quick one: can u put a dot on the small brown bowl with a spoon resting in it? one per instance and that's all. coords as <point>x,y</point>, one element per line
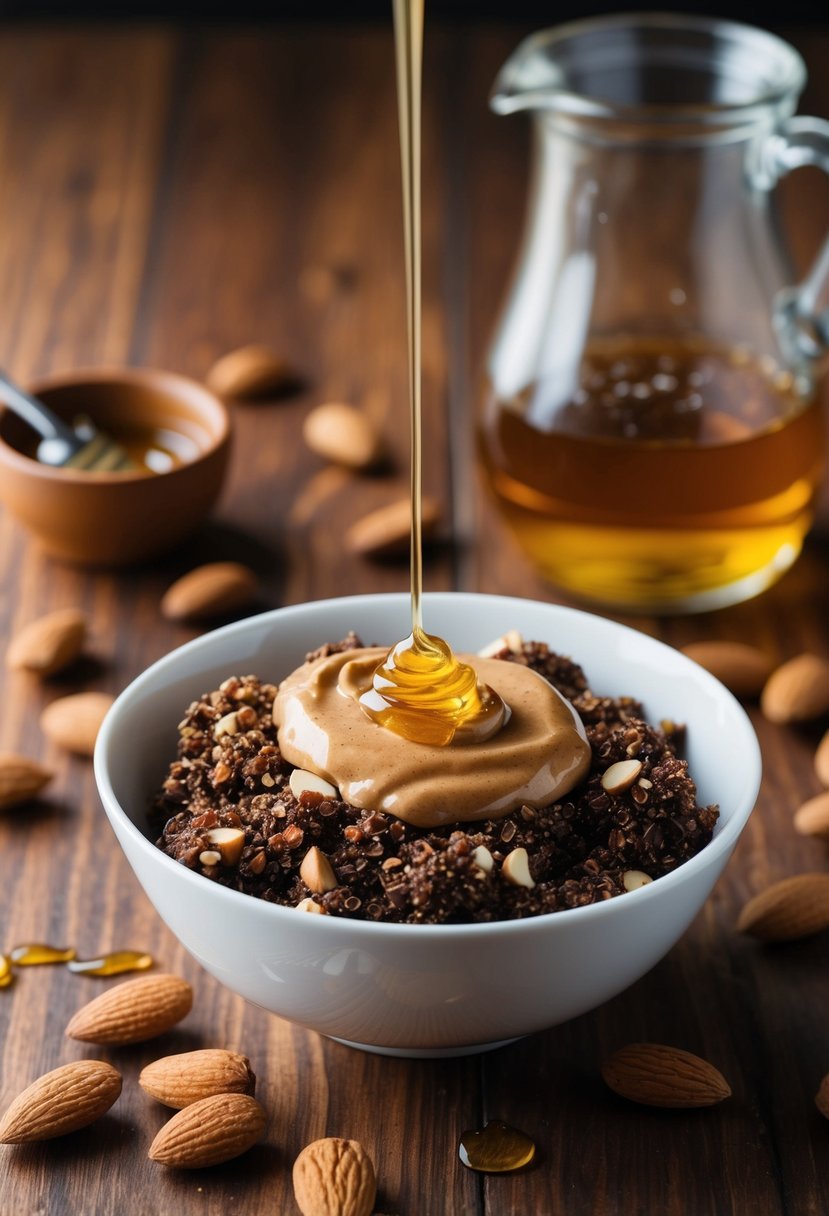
<point>119,519</point>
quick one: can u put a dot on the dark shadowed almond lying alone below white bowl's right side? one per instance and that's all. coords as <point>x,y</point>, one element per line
<point>658,1076</point>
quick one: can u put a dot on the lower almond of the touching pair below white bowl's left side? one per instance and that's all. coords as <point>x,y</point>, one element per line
<point>210,1131</point>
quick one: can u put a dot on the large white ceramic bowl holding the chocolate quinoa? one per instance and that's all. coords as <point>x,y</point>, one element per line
<point>426,990</point>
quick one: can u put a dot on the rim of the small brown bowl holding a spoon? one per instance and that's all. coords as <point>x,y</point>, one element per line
<point>174,385</point>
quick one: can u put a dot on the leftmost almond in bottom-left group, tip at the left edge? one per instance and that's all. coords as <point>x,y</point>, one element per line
<point>63,1101</point>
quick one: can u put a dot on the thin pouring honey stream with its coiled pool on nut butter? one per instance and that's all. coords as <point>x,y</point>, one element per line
<point>421,690</point>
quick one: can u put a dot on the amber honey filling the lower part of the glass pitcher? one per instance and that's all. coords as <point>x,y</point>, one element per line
<point>675,474</point>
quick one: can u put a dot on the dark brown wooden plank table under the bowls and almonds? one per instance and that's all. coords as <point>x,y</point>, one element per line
<point>163,198</point>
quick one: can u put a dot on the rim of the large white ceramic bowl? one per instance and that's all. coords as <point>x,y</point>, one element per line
<point>721,843</point>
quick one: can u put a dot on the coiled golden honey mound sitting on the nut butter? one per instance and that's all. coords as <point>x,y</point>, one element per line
<point>424,693</point>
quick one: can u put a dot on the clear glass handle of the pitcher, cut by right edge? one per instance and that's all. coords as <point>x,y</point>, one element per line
<point>803,311</point>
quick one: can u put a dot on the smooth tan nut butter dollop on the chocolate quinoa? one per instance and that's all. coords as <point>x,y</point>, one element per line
<point>538,757</point>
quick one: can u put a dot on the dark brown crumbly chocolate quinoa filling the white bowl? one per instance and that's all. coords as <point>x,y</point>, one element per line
<point>579,849</point>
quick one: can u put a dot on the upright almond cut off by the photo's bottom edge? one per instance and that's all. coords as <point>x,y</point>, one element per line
<point>335,1178</point>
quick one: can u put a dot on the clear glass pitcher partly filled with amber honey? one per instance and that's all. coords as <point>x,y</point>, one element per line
<point>651,426</point>
